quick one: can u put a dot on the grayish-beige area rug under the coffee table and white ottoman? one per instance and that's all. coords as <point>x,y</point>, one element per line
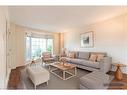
<point>54,82</point>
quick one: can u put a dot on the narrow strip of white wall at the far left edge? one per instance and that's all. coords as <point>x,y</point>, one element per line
<point>3,66</point>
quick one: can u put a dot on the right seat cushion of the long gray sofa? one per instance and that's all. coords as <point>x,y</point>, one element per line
<point>89,63</point>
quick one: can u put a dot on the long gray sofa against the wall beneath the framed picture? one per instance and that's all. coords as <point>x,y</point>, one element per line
<point>82,61</point>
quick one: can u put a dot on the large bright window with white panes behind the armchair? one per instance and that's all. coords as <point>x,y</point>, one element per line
<point>36,46</point>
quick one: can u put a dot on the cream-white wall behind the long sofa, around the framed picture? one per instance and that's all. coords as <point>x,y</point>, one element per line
<point>109,36</point>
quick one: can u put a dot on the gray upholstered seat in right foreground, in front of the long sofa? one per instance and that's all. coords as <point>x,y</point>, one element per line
<point>95,80</point>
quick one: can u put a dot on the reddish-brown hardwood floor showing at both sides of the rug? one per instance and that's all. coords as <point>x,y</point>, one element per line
<point>15,80</point>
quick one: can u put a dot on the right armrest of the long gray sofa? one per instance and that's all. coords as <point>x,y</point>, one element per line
<point>105,64</point>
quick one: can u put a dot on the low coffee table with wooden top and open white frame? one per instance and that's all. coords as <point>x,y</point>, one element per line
<point>64,72</point>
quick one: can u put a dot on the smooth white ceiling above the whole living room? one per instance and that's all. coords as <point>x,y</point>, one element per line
<point>62,18</point>
